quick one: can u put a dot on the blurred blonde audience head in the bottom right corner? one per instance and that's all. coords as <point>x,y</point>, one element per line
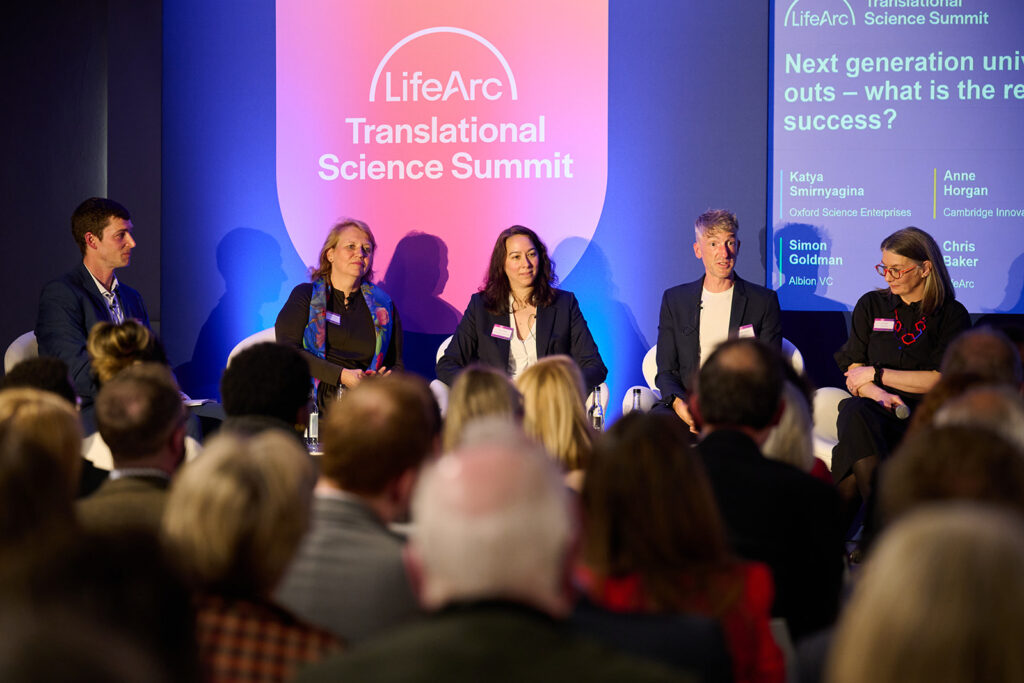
<point>941,600</point>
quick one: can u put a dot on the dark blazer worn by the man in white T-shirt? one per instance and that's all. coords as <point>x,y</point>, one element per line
<point>679,331</point>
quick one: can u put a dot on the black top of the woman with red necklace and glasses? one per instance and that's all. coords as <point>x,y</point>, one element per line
<point>917,343</point>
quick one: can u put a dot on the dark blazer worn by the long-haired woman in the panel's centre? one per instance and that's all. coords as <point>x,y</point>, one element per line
<point>561,329</point>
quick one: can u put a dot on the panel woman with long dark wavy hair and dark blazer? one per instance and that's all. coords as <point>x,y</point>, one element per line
<point>520,317</point>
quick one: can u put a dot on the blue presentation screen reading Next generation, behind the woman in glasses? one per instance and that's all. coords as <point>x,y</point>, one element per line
<point>894,113</point>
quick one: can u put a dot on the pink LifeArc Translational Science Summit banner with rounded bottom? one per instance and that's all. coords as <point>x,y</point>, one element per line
<point>455,120</point>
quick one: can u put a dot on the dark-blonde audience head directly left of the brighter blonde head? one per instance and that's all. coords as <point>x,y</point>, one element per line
<point>480,392</point>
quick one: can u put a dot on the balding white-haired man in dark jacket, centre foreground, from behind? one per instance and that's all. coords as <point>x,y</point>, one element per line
<point>492,544</point>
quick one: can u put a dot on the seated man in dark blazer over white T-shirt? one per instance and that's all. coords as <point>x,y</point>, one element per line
<point>699,316</point>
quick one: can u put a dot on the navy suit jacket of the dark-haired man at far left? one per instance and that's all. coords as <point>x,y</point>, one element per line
<point>69,307</point>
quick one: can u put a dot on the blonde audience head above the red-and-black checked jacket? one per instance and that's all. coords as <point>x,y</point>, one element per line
<point>235,517</point>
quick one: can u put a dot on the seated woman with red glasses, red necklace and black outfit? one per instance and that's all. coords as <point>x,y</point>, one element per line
<point>892,359</point>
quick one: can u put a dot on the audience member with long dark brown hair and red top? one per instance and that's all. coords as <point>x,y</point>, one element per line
<point>655,542</point>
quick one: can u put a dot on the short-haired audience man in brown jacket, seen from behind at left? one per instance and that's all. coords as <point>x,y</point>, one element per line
<point>142,419</point>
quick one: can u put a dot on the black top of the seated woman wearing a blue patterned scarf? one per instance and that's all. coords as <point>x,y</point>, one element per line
<point>350,345</point>
